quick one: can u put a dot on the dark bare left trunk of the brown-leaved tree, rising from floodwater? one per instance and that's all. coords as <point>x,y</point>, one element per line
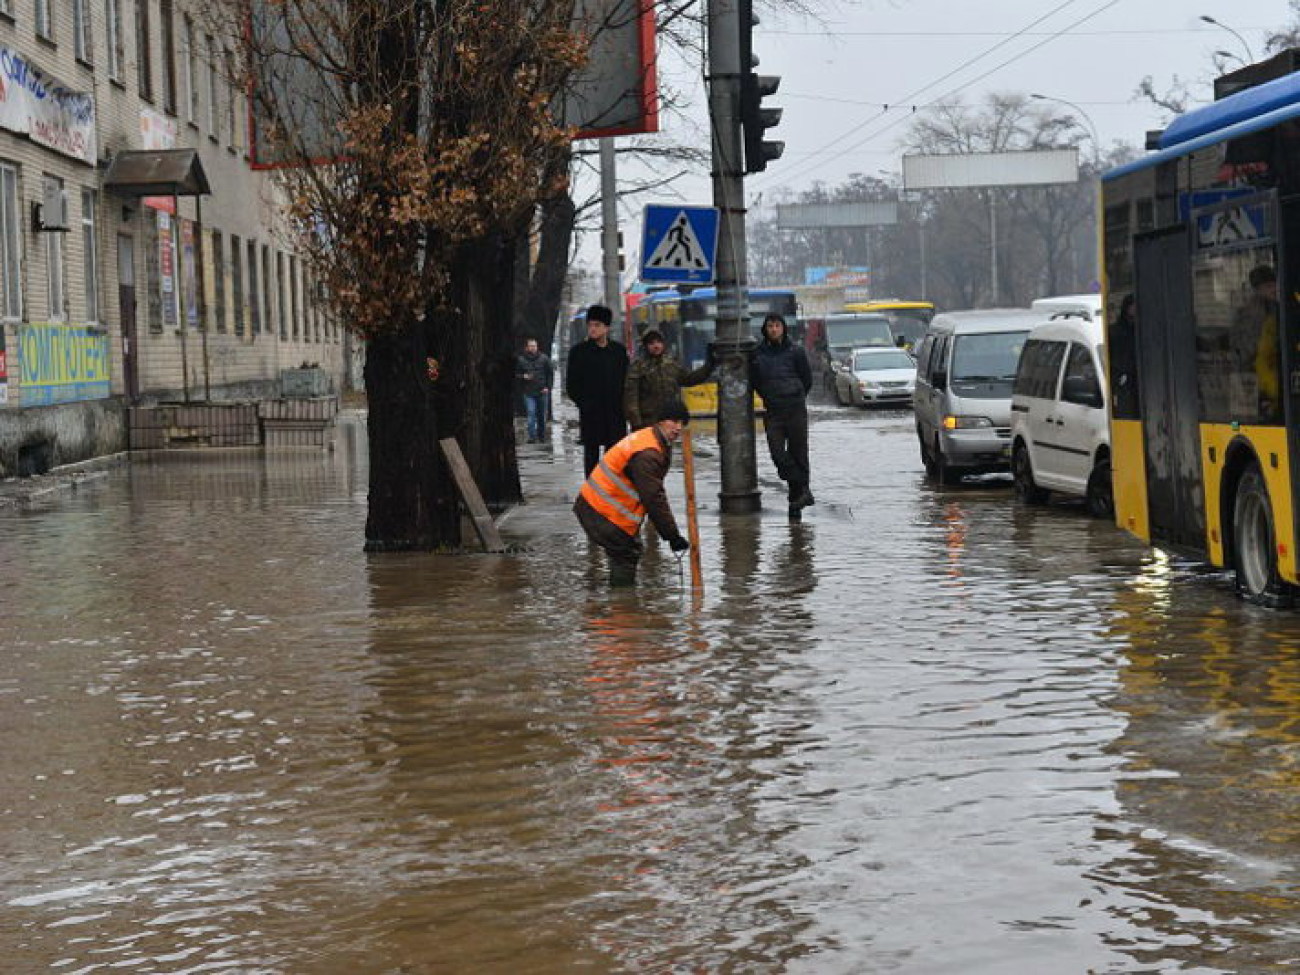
<point>413,500</point>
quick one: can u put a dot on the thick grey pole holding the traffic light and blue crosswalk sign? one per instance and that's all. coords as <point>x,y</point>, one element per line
<point>734,343</point>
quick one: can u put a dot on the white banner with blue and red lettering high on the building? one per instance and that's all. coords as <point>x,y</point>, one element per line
<point>45,110</point>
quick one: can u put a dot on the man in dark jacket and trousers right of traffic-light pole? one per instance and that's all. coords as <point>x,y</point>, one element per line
<point>781,374</point>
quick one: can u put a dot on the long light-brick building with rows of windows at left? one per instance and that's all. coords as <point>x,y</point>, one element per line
<point>112,298</point>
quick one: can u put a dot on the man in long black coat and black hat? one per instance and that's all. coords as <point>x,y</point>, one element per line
<point>593,380</point>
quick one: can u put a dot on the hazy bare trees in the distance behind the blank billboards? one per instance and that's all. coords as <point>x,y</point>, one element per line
<point>942,246</point>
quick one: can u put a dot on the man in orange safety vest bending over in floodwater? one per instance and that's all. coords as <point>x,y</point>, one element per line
<point>627,486</point>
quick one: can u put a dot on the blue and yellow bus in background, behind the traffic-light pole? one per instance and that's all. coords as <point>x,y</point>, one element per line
<point>690,322</point>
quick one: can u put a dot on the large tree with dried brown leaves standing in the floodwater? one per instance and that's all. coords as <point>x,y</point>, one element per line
<point>417,141</point>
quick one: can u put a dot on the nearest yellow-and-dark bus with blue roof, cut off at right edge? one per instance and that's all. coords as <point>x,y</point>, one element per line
<point>1202,261</point>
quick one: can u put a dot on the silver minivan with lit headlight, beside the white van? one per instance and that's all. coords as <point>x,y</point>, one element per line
<point>965,370</point>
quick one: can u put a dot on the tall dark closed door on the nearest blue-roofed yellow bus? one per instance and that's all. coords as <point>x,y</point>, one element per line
<point>1167,352</point>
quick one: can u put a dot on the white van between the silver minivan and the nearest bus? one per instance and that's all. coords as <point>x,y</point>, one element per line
<point>1060,423</point>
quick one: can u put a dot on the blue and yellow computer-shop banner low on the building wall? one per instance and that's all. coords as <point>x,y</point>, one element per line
<point>62,363</point>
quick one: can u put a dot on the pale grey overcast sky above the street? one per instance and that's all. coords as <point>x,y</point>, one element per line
<point>842,71</point>
